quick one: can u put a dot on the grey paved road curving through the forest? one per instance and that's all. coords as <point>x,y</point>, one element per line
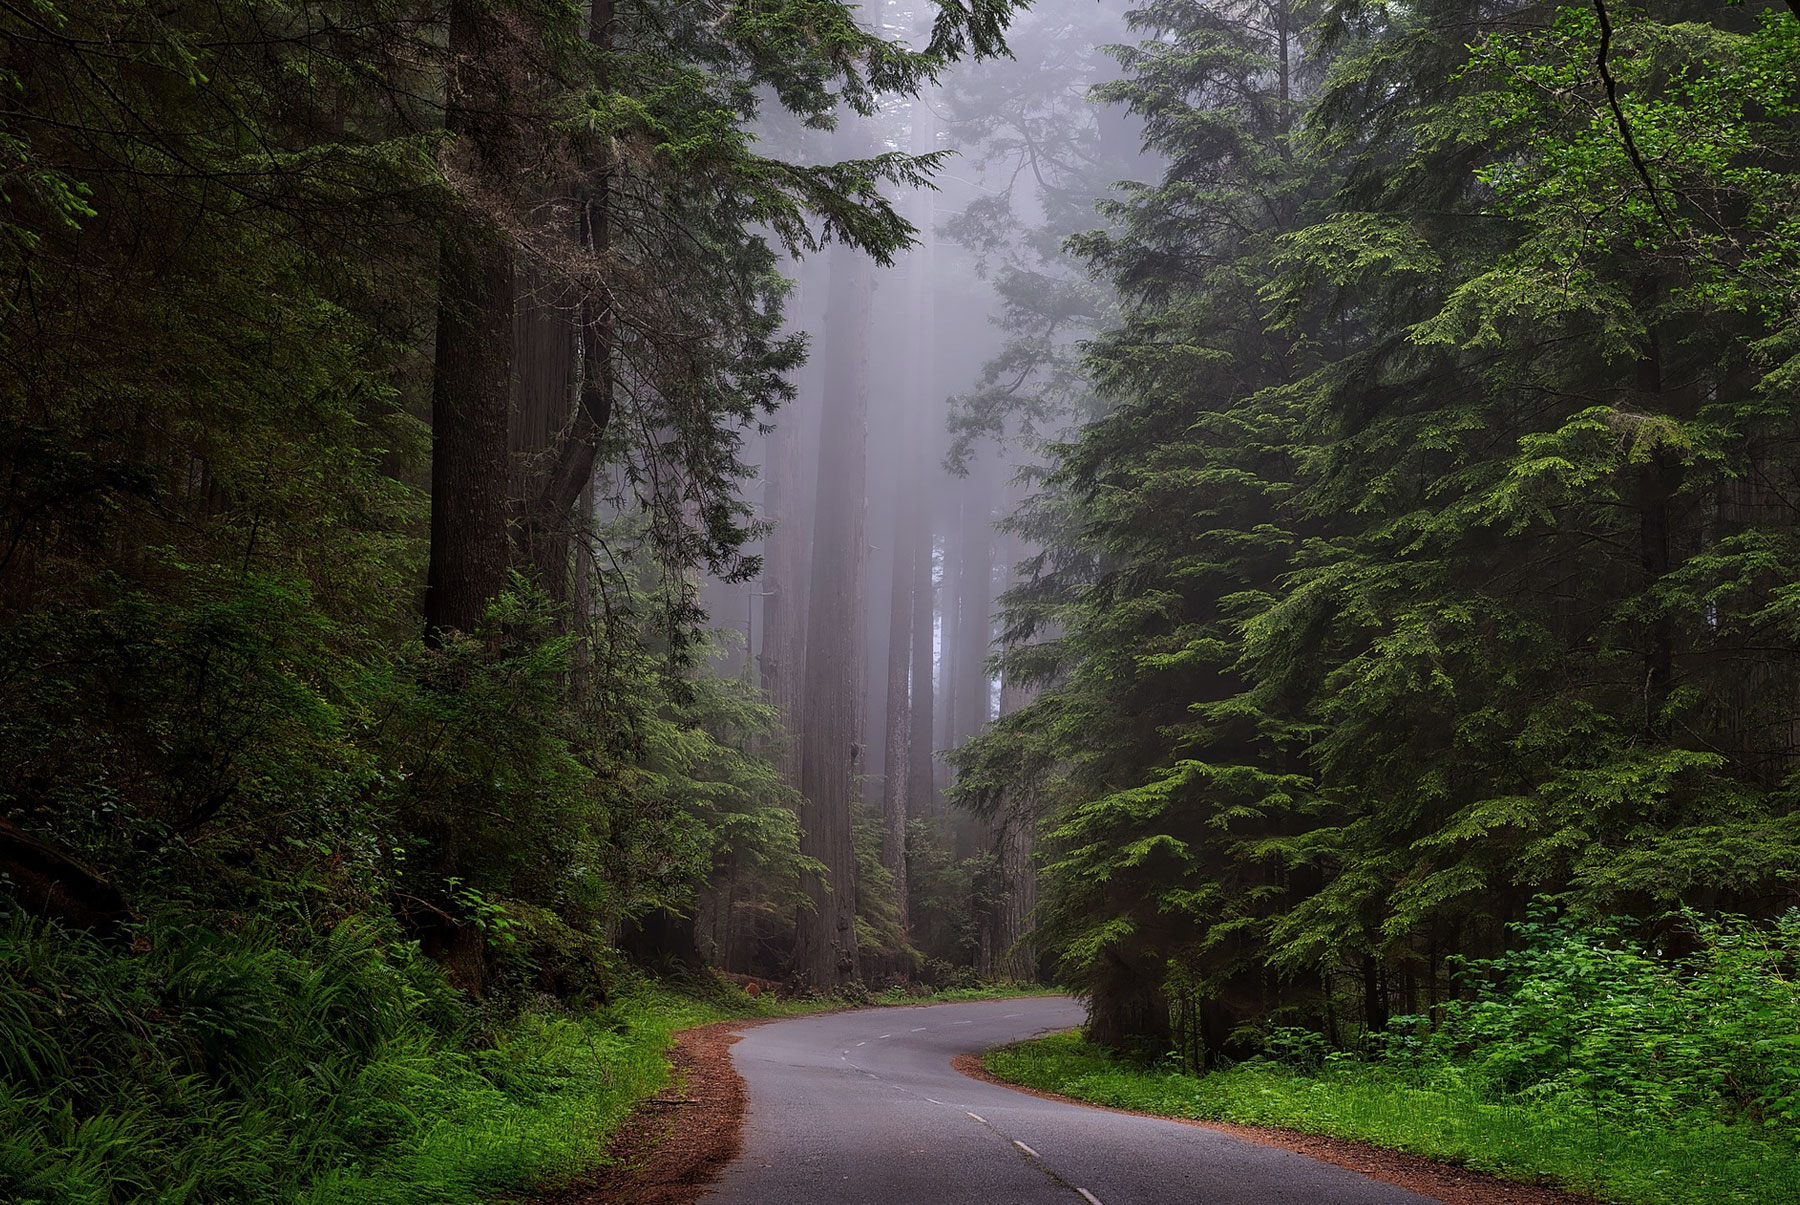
<point>865,1109</point>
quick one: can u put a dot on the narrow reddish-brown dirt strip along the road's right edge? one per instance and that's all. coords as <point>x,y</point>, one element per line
<point>1453,1186</point>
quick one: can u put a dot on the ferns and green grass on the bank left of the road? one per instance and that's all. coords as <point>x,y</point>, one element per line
<point>260,1065</point>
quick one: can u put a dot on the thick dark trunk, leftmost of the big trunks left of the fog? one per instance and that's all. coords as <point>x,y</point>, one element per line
<point>474,359</point>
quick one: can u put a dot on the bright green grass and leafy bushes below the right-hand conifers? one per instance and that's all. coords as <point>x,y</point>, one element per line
<point>1614,1067</point>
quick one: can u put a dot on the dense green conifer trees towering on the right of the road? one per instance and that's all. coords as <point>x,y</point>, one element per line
<point>1430,554</point>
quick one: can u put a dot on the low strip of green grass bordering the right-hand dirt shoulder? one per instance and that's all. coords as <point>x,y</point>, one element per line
<point>1432,1114</point>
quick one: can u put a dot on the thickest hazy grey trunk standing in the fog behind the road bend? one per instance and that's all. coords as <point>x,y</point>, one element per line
<point>825,945</point>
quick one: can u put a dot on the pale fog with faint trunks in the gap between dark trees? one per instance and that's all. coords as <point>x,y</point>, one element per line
<point>930,388</point>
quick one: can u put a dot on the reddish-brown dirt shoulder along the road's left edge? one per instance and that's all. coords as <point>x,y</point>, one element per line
<point>678,1141</point>
